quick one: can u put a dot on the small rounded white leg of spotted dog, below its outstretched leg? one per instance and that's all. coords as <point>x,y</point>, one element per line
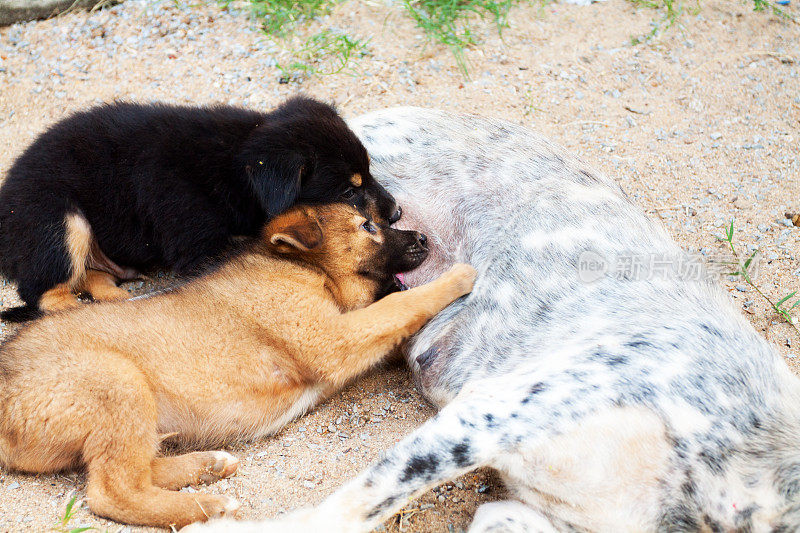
<point>510,517</point>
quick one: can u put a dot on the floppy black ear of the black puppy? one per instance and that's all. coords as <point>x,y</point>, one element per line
<point>277,181</point>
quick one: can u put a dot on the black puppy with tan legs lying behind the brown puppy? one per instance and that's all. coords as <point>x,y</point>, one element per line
<point>124,187</point>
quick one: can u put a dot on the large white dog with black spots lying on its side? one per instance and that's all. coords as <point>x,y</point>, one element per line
<point>640,401</point>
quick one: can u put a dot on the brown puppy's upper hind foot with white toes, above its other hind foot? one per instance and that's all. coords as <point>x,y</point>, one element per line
<point>192,469</point>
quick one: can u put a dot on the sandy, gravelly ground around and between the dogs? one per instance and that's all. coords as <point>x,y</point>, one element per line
<point>699,128</point>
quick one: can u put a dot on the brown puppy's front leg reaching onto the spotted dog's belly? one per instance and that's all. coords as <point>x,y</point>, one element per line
<point>360,338</point>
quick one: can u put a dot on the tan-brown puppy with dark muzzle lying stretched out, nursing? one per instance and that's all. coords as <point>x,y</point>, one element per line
<point>235,354</point>
